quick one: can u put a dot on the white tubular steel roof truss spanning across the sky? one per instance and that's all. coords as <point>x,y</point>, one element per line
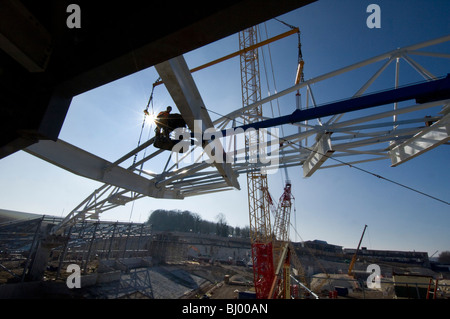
<point>376,134</point>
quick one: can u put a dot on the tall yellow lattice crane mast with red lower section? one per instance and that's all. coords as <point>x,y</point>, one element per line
<point>259,212</point>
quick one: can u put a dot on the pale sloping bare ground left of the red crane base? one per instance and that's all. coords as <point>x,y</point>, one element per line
<point>178,280</point>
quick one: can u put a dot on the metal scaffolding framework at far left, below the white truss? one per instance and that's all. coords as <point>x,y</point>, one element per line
<point>84,243</point>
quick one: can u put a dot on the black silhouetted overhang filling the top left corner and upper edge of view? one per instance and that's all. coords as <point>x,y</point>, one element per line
<point>44,63</point>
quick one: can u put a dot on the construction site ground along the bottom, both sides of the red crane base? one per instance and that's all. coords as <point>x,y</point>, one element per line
<point>192,266</point>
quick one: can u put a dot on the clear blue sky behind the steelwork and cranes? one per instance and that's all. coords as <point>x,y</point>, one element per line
<point>332,205</point>
